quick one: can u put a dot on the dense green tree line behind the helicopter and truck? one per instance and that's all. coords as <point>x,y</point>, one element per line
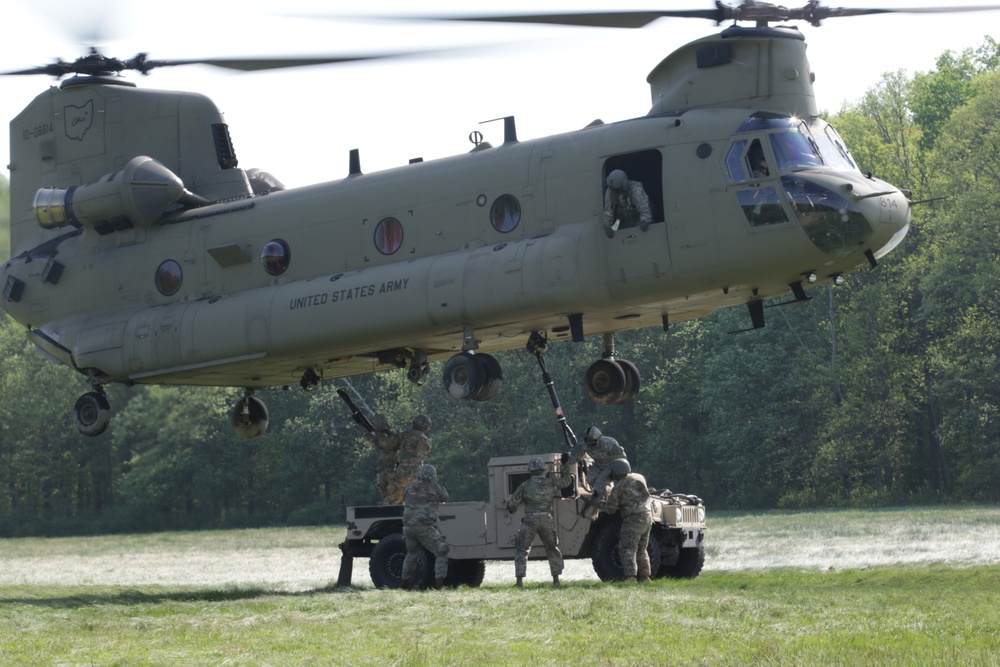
<point>882,391</point>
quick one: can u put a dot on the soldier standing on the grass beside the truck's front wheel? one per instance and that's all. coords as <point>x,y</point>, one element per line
<point>630,498</point>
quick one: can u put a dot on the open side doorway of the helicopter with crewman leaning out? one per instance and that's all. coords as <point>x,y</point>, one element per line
<point>633,190</point>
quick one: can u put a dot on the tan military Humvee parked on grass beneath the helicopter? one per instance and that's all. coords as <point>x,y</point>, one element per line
<point>478,531</point>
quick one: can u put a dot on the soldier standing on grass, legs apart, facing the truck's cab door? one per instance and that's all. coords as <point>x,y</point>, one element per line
<point>536,493</point>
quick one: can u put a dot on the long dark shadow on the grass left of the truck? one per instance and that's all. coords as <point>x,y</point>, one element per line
<point>135,597</point>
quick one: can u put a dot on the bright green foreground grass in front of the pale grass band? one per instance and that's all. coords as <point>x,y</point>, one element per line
<point>892,616</point>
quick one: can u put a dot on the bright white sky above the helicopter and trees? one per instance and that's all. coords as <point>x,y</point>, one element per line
<point>301,124</point>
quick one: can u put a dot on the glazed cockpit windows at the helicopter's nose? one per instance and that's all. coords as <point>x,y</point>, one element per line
<point>775,162</point>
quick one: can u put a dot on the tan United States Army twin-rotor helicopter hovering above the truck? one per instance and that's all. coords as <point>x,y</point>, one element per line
<point>142,252</point>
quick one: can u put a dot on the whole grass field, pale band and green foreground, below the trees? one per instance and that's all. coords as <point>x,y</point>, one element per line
<point>900,587</point>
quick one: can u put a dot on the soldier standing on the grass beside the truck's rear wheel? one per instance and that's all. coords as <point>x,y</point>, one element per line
<point>421,499</point>
